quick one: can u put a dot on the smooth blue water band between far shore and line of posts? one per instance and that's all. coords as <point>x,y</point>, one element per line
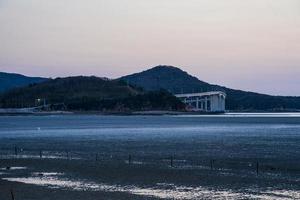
<point>232,135</point>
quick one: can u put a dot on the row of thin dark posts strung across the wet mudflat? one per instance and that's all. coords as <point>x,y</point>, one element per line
<point>170,161</point>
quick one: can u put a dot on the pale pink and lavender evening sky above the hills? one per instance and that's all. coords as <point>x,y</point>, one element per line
<point>250,45</point>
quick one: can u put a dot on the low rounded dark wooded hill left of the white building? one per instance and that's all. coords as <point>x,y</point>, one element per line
<point>90,93</point>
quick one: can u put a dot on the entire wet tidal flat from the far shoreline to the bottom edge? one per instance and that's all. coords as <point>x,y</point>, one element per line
<point>87,157</point>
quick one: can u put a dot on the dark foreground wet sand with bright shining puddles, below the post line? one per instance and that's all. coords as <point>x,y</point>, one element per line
<point>82,179</point>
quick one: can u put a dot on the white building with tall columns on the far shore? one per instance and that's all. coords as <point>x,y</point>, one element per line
<point>204,102</point>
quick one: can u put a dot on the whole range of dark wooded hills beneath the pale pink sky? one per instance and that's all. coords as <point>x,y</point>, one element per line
<point>92,93</point>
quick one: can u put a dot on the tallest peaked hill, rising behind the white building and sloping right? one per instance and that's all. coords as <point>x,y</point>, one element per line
<point>177,81</point>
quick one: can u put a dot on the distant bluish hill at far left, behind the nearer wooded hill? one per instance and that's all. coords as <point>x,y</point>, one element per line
<point>9,81</point>
